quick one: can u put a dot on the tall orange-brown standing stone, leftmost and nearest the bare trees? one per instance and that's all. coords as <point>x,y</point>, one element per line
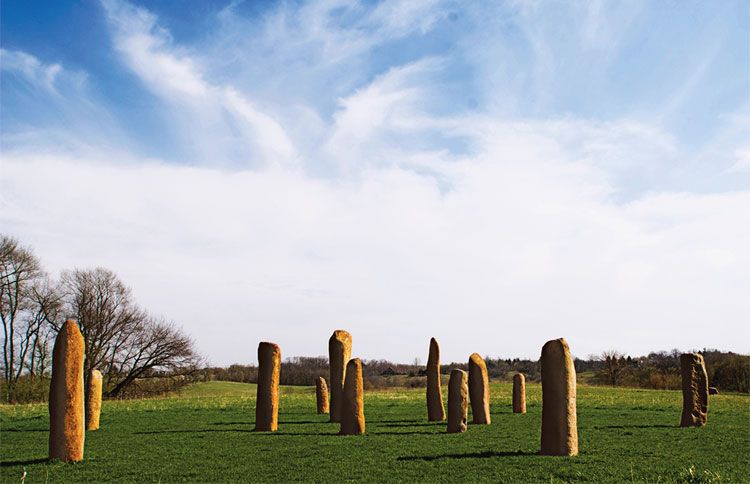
<point>66,406</point>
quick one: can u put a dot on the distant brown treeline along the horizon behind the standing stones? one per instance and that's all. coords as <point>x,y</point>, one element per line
<point>727,371</point>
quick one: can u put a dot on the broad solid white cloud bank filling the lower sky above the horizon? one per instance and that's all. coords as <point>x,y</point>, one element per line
<point>517,251</point>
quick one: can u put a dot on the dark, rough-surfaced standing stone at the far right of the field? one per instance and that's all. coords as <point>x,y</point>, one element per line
<point>694,390</point>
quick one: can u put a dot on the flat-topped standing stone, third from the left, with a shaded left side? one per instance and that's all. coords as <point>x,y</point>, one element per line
<point>267,401</point>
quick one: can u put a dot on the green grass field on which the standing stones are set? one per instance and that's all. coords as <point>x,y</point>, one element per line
<point>205,434</point>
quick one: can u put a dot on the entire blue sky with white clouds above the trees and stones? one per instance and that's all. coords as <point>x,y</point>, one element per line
<point>382,166</point>
